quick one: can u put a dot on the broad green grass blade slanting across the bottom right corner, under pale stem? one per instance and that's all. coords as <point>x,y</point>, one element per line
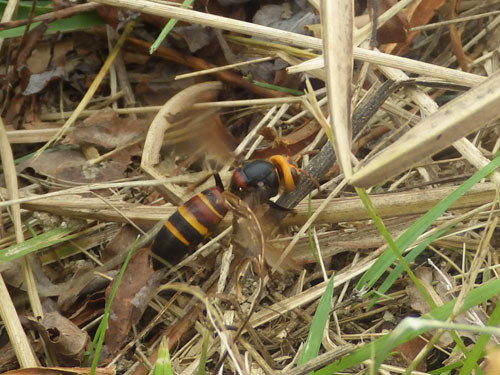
<point>474,298</point>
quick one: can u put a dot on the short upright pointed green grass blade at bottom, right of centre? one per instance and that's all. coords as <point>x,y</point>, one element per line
<point>320,319</point>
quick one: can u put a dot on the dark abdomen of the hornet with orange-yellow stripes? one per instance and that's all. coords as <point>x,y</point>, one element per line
<point>189,225</point>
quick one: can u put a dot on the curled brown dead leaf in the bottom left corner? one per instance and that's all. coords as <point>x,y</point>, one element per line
<point>65,338</point>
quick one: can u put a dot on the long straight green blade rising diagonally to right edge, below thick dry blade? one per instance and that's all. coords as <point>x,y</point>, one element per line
<point>421,225</point>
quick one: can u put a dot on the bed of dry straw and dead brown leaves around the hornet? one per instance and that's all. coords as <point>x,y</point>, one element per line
<point>48,74</point>
